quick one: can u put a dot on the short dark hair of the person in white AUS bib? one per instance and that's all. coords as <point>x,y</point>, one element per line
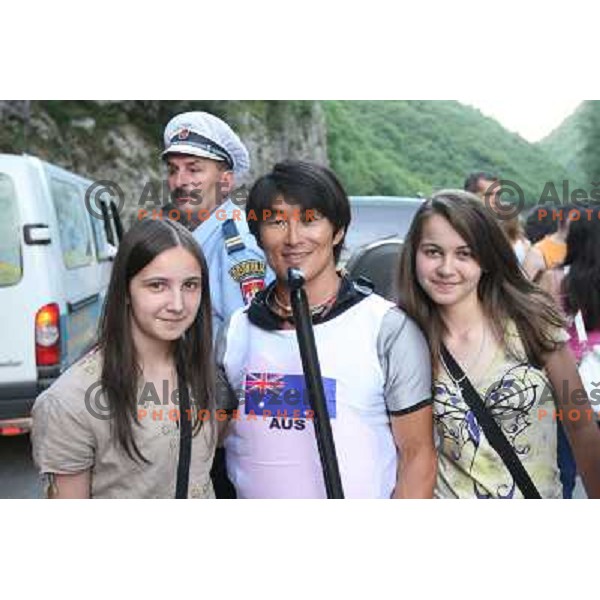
<point>311,186</point>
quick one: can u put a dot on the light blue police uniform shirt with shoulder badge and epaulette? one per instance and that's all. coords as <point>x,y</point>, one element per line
<point>236,265</point>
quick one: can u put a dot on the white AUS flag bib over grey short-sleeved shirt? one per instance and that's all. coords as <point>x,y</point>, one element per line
<point>374,362</point>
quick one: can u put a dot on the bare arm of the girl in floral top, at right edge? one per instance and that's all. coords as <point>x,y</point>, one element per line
<point>577,417</point>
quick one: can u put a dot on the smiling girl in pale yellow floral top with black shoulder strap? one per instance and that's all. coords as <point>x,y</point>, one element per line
<point>460,280</point>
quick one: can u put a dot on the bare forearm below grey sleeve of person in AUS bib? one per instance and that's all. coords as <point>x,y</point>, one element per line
<point>417,466</point>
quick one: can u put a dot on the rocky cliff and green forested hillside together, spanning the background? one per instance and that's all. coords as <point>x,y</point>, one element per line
<point>376,147</point>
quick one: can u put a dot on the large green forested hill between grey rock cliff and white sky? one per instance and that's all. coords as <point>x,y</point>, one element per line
<point>411,147</point>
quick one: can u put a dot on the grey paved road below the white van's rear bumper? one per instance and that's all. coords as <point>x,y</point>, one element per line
<point>18,477</point>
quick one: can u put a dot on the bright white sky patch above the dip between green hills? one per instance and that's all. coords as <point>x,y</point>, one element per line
<point>532,119</point>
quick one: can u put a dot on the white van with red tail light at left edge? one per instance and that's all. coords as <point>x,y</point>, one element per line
<point>55,263</point>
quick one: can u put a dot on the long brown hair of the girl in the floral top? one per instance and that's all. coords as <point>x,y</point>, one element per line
<point>503,290</point>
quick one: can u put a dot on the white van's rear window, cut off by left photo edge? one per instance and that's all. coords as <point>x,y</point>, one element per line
<point>10,238</point>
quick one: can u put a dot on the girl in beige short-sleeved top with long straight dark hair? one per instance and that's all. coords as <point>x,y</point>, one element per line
<point>109,426</point>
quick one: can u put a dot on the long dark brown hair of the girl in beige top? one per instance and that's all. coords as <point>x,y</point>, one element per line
<point>192,352</point>
